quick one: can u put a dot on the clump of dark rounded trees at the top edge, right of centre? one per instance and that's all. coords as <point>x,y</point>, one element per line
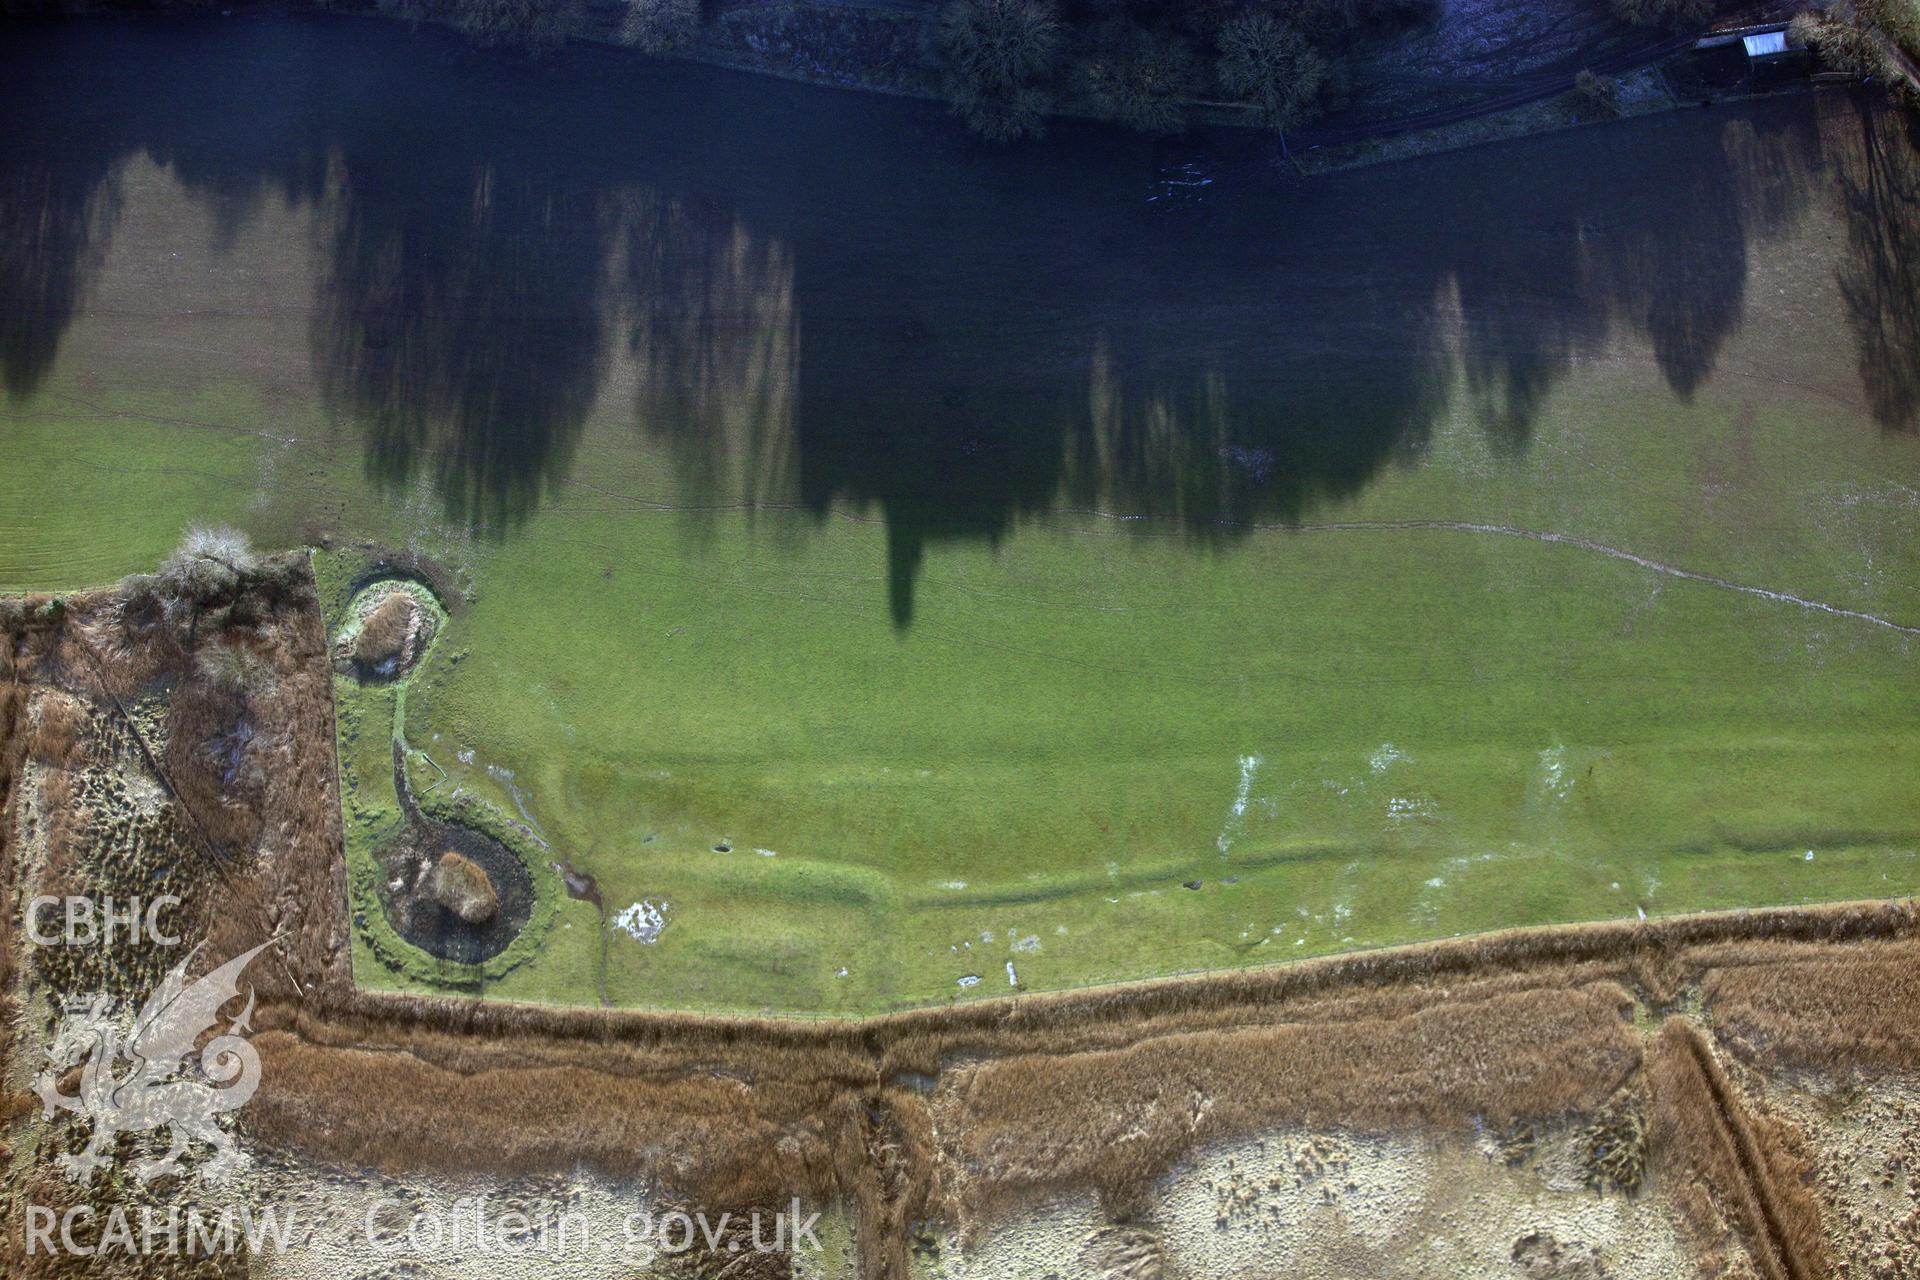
<point>1007,62</point>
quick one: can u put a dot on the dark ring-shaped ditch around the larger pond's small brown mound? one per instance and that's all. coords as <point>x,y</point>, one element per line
<point>423,920</point>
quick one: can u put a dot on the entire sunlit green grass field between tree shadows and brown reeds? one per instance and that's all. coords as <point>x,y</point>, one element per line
<point>1105,747</point>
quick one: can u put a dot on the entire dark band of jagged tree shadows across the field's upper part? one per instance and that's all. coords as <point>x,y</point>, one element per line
<point>838,304</point>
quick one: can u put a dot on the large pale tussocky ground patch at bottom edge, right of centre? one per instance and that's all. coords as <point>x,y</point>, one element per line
<point>1341,1206</point>
